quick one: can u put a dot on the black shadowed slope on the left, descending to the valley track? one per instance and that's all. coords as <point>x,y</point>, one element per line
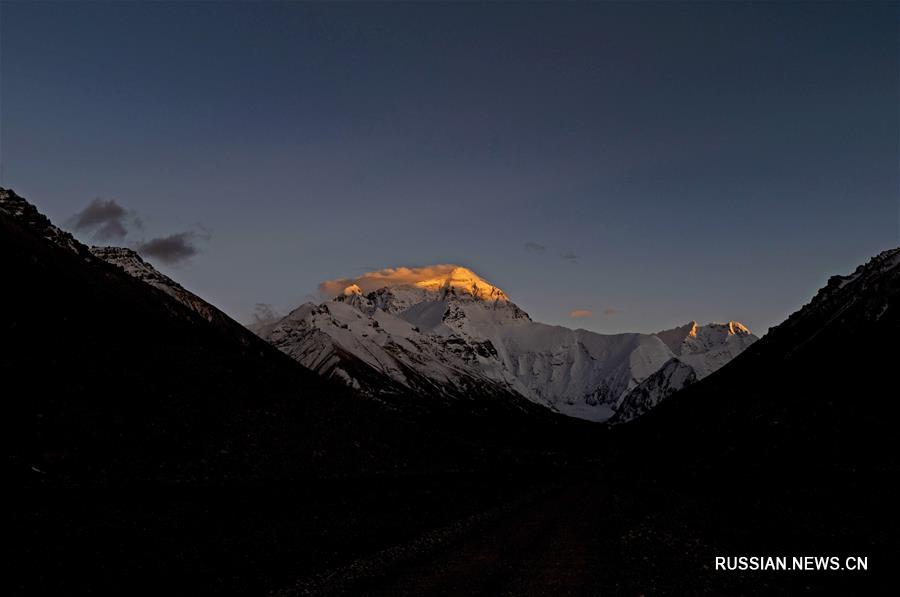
<point>151,451</point>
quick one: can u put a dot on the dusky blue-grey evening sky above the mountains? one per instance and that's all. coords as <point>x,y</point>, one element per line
<point>613,166</point>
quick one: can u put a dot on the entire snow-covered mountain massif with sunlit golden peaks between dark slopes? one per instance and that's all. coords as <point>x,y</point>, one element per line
<point>449,330</point>
